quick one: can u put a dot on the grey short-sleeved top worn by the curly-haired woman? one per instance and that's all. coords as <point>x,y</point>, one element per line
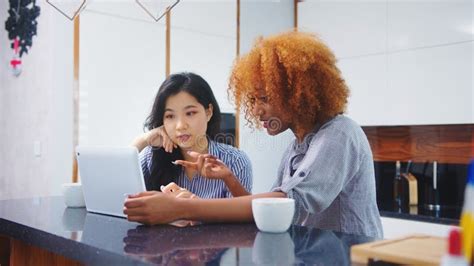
<point>331,177</point>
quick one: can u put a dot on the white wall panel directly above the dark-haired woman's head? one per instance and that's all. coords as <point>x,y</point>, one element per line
<point>203,40</point>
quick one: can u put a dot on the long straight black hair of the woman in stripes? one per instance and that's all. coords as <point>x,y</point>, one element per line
<point>162,170</point>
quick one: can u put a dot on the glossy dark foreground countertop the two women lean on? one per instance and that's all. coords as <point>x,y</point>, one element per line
<point>99,239</point>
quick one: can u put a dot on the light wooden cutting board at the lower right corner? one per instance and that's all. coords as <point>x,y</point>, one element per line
<point>412,249</point>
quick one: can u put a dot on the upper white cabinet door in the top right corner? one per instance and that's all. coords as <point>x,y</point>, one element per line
<point>416,24</point>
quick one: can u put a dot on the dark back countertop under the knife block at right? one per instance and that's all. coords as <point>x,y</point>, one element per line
<point>445,215</point>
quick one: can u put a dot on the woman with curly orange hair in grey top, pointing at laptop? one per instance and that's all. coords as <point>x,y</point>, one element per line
<point>291,81</point>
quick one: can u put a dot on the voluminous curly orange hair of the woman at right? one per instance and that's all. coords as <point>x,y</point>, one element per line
<point>299,75</point>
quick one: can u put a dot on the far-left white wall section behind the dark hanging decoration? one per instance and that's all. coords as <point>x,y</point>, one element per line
<point>37,107</point>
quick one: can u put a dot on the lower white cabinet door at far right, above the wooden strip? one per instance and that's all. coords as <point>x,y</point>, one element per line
<point>430,86</point>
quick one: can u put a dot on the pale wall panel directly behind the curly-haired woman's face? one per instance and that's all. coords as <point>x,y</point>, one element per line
<point>262,19</point>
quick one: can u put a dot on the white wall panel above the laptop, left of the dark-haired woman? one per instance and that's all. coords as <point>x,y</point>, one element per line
<point>121,67</point>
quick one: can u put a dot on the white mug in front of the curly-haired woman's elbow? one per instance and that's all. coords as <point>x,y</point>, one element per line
<point>273,215</point>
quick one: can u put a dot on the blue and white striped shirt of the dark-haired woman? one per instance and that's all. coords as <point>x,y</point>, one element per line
<point>235,159</point>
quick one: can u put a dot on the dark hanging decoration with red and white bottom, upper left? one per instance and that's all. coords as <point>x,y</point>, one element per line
<point>21,26</point>
